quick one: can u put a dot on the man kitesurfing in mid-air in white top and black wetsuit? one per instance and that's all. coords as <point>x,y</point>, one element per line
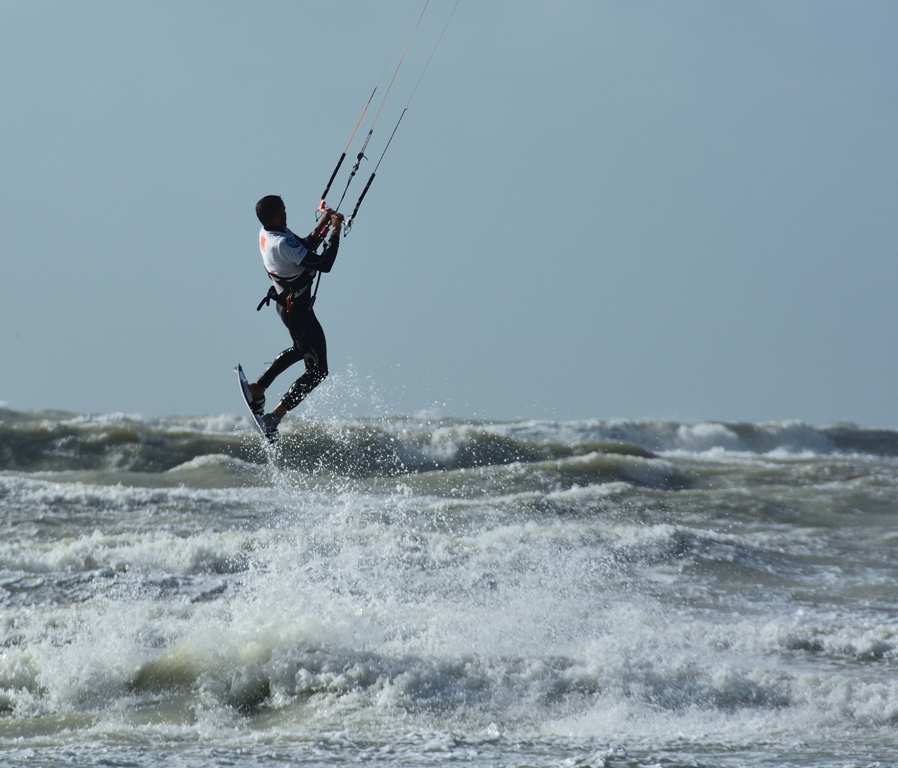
<point>293,264</point>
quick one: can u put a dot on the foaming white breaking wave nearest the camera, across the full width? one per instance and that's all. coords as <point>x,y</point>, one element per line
<point>279,665</point>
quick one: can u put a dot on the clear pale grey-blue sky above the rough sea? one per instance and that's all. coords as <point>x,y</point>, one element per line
<point>592,210</point>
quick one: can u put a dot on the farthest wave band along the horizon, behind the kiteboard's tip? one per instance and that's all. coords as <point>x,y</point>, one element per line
<point>55,442</point>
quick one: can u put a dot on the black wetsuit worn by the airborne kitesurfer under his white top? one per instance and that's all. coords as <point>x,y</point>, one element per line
<point>309,344</point>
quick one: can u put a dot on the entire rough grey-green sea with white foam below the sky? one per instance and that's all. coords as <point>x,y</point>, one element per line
<point>431,591</point>
